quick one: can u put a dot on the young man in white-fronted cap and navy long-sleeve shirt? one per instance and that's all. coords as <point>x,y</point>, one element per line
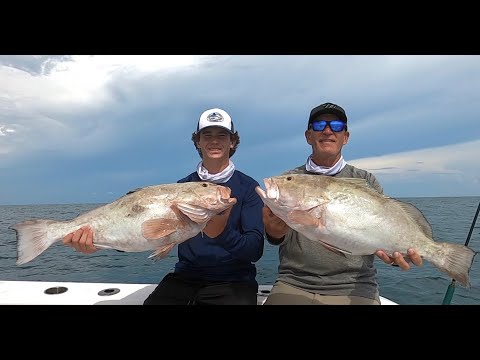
<point>217,265</point>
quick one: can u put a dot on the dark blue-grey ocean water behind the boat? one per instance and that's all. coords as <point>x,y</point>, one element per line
<point>450,218</point>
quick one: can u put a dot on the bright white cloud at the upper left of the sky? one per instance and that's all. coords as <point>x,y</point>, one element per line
<point>73,107</point>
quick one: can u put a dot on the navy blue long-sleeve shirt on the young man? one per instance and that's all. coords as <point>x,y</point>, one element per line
<point>231,255</point>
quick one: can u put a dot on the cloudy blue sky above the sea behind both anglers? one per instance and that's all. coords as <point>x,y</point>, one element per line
<point>87,128</point>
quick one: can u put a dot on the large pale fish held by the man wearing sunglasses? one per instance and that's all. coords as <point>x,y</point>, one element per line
<point>348,216</point>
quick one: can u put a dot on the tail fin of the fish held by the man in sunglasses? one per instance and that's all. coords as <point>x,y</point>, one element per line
<point>456,262</point>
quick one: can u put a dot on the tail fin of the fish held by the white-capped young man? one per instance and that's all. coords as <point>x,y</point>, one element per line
<point>32,239</point>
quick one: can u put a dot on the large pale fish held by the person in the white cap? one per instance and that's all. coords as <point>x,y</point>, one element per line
<point>151,218</point>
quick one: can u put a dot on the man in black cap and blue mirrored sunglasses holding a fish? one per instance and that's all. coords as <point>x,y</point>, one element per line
<point>309,273</point>
